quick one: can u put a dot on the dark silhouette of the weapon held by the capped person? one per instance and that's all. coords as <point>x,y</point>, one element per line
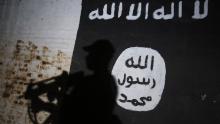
<point>54,88</point>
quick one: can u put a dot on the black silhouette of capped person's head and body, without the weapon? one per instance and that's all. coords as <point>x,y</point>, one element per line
<point>92,98</point>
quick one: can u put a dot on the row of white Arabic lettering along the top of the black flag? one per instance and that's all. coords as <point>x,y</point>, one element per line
<point>135,11</point>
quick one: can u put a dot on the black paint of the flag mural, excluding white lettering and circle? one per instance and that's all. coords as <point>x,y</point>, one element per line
<point>189,48</point>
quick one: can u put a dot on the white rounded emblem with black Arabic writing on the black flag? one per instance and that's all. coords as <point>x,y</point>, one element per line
<point>140,77</point>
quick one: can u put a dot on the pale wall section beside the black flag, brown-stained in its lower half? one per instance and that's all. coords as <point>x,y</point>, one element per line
<point>36,42</point>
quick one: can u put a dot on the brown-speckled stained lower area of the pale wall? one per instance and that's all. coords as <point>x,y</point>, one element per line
<point>20,64</point>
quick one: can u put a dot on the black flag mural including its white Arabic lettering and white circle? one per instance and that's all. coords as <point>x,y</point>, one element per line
<point>163,56</point>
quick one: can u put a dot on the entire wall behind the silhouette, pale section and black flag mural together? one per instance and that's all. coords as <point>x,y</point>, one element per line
<point>165,64</point>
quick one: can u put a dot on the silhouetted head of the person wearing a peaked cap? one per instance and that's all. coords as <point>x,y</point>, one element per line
<point>99,55</point>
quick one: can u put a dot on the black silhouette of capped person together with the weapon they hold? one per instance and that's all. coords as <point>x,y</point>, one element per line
<point>77,98</point>
